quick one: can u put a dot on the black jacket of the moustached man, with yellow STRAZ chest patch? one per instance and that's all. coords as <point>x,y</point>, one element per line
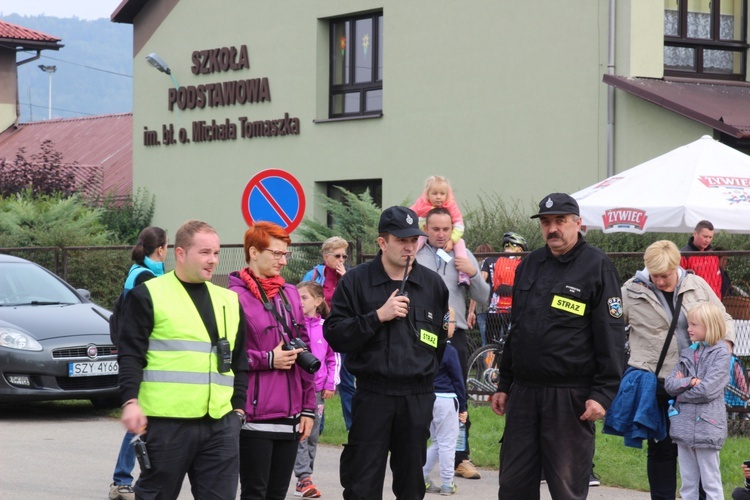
<point>566,323</point>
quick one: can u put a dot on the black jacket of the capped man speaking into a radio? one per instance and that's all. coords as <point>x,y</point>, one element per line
<point>388,358</point>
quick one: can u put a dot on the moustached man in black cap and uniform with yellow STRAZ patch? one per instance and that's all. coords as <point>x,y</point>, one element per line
<point>562,361</point>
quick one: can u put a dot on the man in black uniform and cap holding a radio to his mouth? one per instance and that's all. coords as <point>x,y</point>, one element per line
<point>387,315</point>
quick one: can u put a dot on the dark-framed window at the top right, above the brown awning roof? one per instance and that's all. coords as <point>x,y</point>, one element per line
<point>705,38</point>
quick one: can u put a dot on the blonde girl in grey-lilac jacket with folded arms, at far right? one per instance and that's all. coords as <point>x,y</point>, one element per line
<point>697,382</point>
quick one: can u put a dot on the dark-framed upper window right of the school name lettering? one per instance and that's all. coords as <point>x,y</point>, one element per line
<point>356,66</point>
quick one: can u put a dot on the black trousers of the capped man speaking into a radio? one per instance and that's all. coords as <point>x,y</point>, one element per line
<point>380,423</point>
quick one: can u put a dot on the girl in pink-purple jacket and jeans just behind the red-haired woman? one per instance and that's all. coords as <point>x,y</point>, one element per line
<point>326,378</point>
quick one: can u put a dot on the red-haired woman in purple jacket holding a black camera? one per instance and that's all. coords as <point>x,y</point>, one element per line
<point>280,405</point>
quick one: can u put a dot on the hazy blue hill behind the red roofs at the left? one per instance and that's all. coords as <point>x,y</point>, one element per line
<point>94,69</point>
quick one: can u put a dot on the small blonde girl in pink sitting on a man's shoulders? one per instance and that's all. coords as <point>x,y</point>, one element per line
<point>438,193</point>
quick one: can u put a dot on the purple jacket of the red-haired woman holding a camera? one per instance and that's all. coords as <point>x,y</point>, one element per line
<point>273,393</point>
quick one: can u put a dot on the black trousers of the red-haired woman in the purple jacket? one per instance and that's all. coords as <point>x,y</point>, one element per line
<point>266,466</point>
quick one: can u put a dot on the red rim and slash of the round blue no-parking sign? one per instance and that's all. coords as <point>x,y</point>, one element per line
<point>288,221</point>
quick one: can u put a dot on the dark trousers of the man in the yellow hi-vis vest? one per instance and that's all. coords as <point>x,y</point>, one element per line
<point>206,450</point>
